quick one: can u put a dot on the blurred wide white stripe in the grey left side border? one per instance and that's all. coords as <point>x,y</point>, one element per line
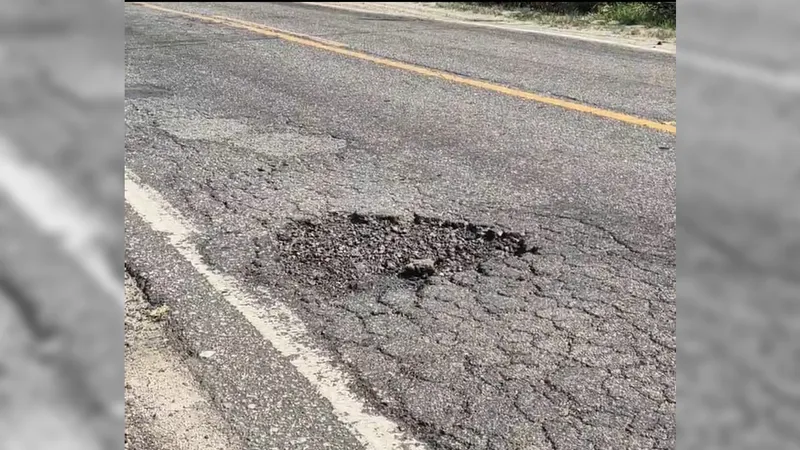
<point>51,207</point>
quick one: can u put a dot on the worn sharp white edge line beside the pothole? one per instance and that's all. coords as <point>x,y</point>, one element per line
<point>278,325</point>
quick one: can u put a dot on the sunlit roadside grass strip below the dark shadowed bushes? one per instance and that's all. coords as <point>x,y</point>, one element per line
<point>635,18</point>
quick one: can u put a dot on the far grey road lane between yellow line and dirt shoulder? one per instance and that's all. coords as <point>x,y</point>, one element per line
<point>624,80</point>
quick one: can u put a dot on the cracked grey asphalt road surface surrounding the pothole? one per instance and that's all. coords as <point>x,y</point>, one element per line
<point>312,177</point>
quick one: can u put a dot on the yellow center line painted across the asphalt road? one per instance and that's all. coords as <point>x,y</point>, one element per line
<point>419,70</point>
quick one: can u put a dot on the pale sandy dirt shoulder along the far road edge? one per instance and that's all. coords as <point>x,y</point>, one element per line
<point>630,36</point>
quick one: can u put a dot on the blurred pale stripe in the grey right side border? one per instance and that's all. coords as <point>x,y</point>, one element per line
<point>780,81</point>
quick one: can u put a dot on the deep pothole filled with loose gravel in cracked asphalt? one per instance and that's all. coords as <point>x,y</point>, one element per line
<point>340,250</point>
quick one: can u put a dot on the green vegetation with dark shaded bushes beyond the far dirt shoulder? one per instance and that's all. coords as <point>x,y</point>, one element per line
<point>659,16</point>
